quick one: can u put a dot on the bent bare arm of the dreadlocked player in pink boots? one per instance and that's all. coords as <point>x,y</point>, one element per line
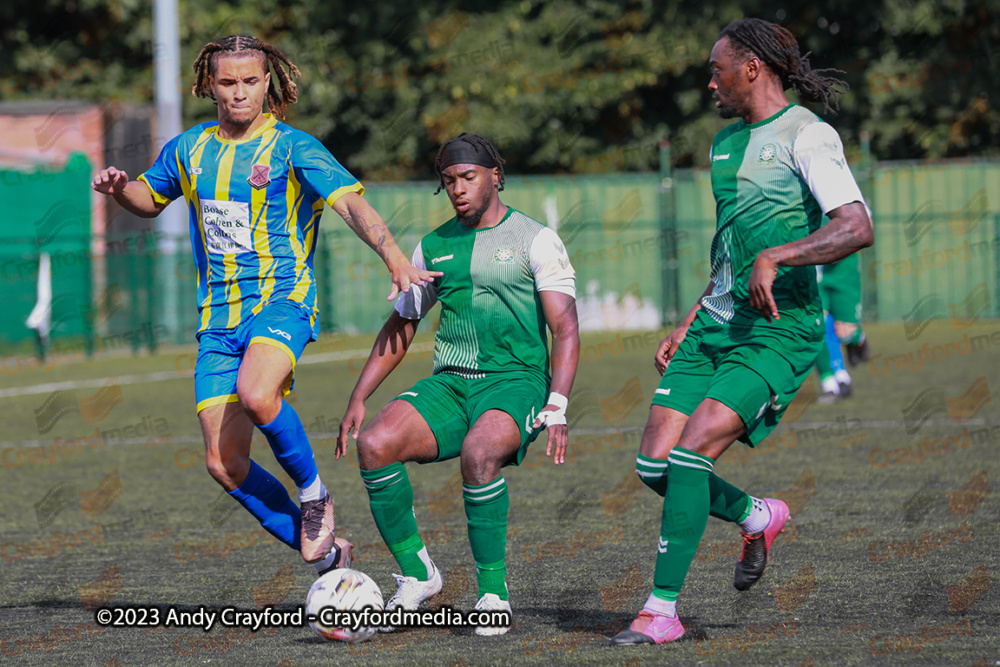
<point>849,230</point>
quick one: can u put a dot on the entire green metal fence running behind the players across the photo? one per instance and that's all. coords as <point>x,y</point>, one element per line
<point>639,243</point>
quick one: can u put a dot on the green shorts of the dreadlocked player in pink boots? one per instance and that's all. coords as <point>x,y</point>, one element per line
<point>753,370</point>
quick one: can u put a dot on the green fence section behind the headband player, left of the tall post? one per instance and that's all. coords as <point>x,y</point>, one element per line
<point>610,226</point>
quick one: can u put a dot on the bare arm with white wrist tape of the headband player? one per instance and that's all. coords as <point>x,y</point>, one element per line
<point>561,318</point>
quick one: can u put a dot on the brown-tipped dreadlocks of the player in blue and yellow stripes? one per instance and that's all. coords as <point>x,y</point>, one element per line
<point>204,67</point>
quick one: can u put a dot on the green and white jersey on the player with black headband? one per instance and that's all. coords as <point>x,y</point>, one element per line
<point>491,312</point>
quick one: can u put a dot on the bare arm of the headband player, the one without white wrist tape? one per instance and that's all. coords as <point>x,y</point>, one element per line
<point>390,347</point>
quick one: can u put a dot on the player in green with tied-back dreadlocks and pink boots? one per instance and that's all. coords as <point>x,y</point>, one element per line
<point>741,353</point>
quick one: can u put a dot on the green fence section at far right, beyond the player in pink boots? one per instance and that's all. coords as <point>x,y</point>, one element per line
<point>937,237</point>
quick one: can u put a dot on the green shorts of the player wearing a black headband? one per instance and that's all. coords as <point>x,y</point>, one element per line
<point>451,405</point>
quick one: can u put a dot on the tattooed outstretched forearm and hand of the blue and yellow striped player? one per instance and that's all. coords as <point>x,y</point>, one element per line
<point>370,228</point>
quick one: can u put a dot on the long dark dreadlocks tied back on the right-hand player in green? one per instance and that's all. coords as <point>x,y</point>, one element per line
<point>779,50</point>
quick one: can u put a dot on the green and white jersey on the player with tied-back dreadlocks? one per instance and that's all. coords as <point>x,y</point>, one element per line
<point>773,182</point>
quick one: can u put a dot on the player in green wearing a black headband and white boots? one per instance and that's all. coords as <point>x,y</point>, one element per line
<point>505,277</point>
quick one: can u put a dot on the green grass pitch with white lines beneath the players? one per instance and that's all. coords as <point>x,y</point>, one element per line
<point>890,556</point>
